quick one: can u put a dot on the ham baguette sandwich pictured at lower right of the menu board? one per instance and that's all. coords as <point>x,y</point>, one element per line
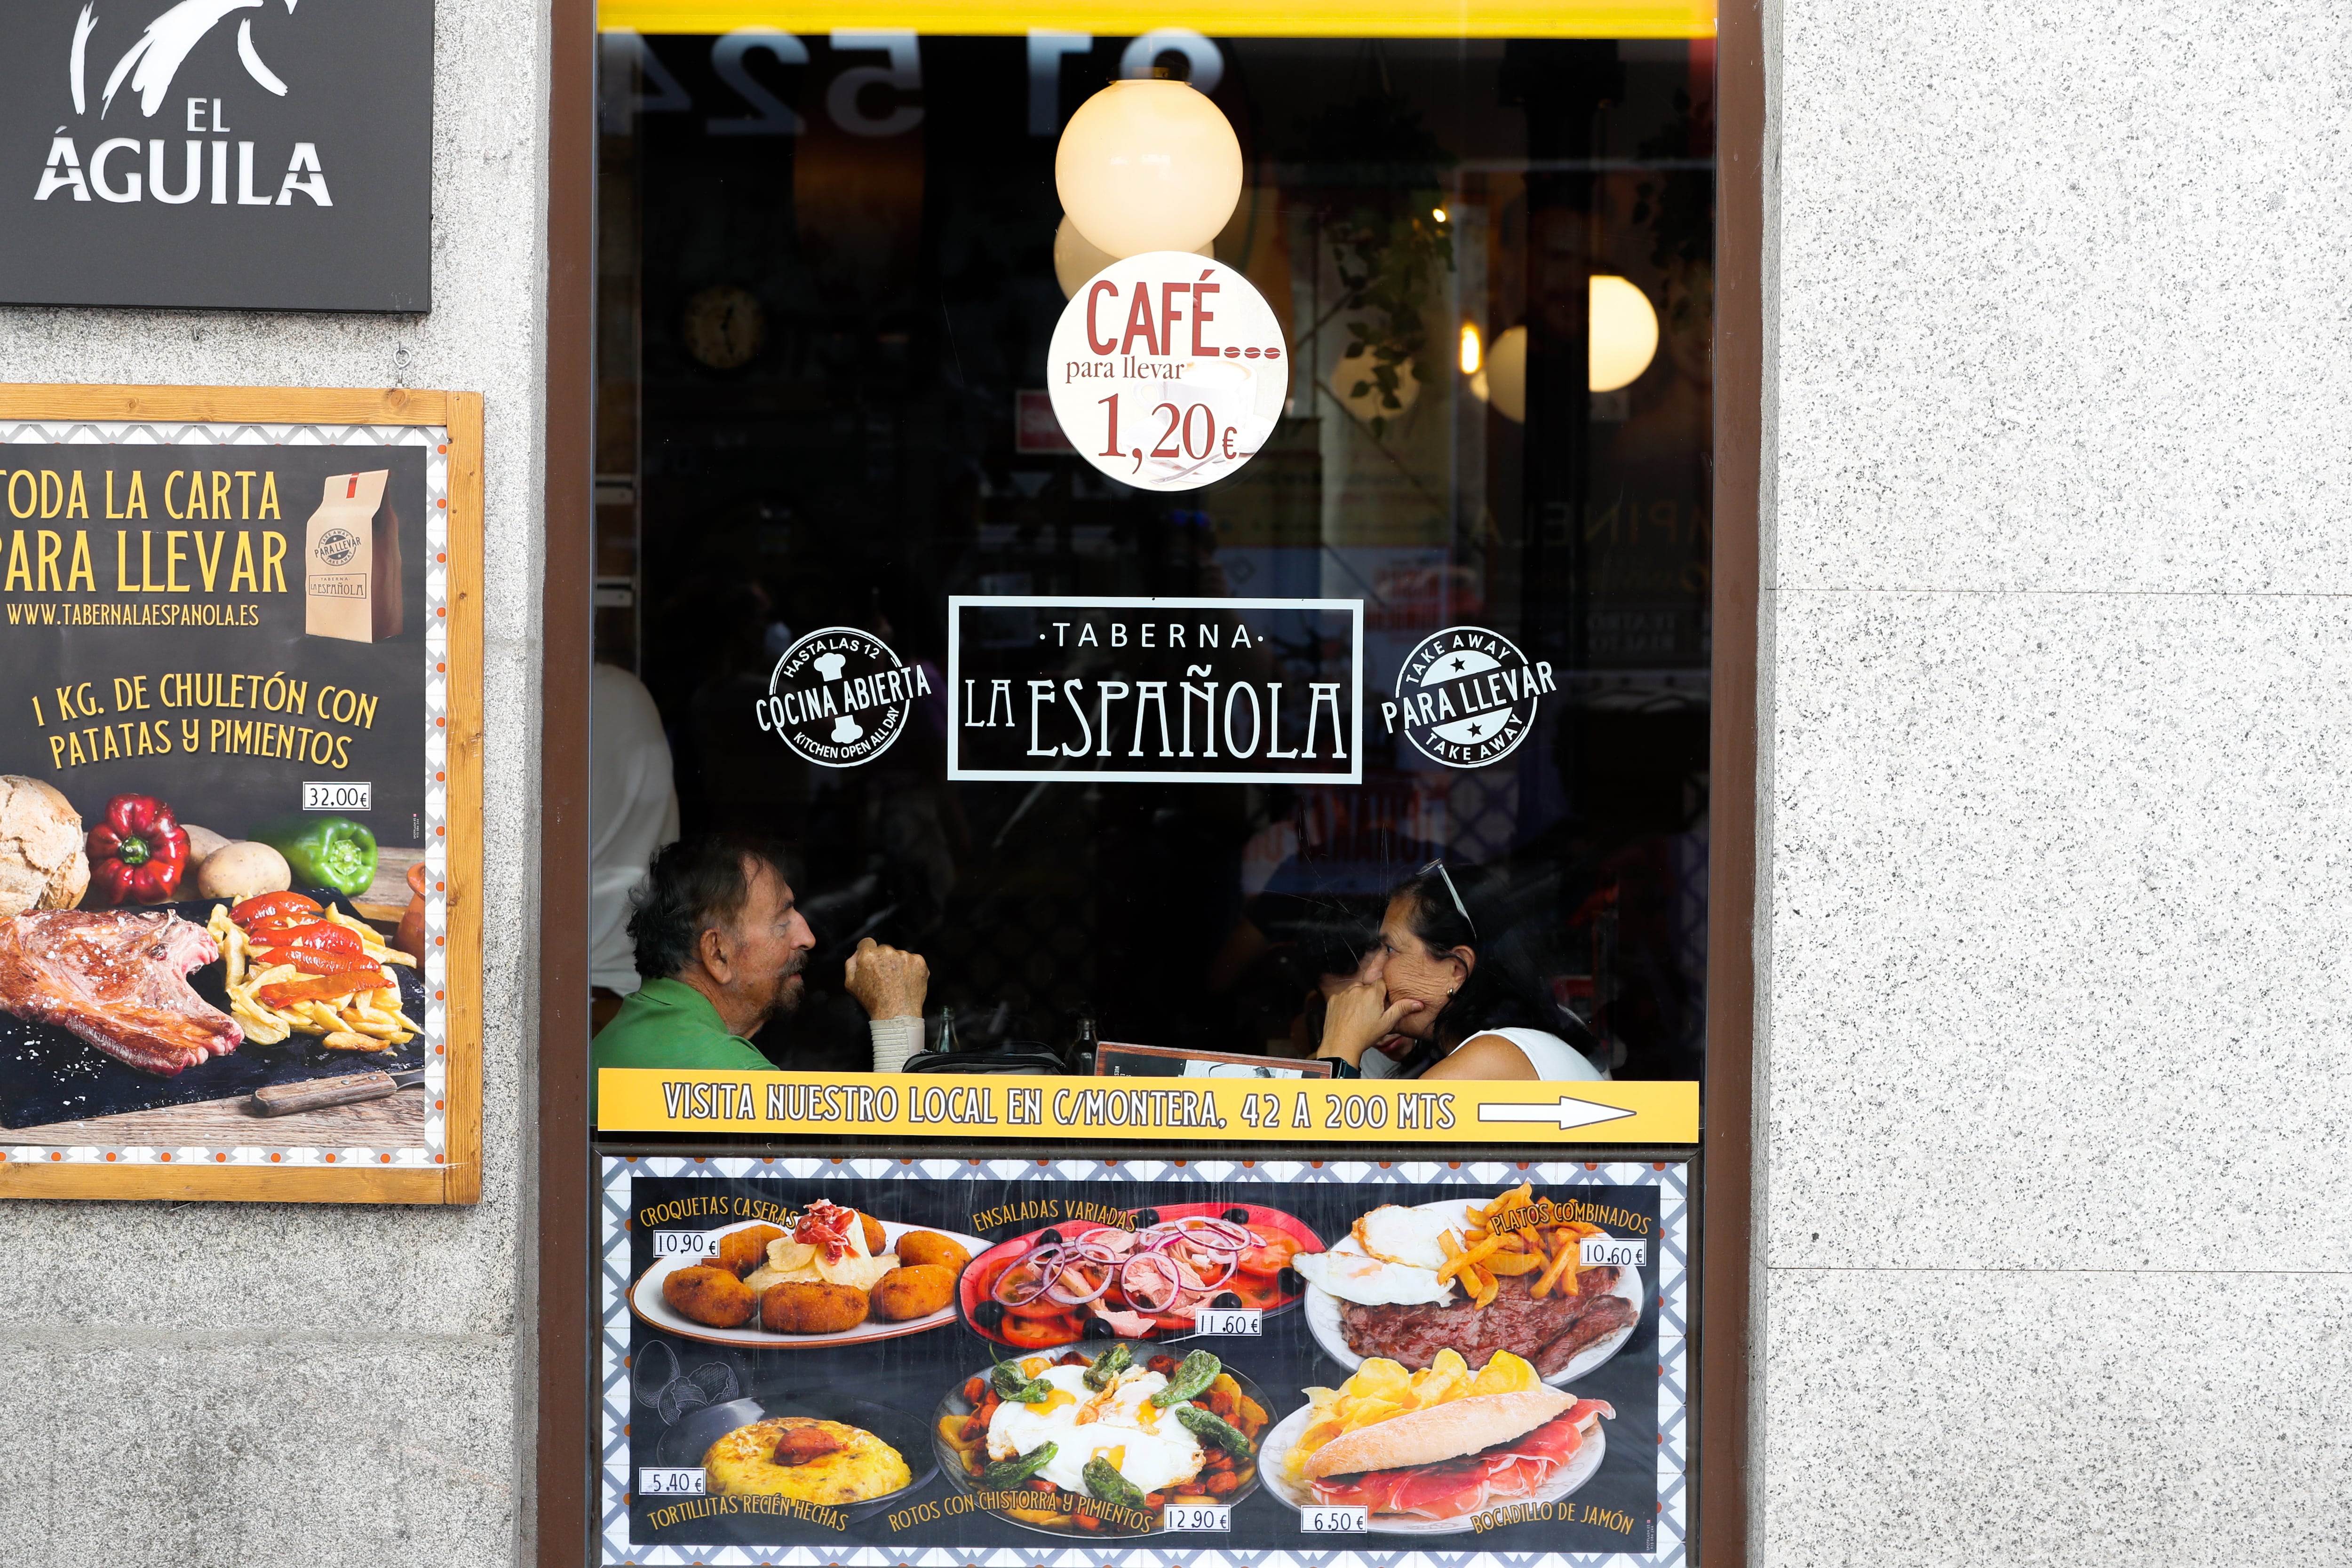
<point>1457,1459</point>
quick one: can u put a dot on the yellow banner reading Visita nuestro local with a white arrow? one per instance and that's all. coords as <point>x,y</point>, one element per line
<point>1177,1111</point>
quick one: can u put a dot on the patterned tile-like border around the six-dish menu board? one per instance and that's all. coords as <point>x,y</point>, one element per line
<point>1673,1355</point>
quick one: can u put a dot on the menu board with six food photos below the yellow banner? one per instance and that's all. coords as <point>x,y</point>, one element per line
<point>951,1362</point>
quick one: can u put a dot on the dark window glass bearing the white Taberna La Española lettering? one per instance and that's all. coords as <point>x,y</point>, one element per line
<point>831,269</point>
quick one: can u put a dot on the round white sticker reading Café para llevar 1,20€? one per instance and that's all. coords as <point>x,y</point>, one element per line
<point>1168,370</point>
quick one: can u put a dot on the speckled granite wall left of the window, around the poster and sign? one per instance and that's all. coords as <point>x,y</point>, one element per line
<point>225,1386</point>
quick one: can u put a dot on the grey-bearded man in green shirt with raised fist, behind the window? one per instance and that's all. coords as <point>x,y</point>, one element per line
<point>721,946</point>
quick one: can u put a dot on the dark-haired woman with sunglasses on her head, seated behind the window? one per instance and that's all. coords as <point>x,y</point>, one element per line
<point>1426,981</point>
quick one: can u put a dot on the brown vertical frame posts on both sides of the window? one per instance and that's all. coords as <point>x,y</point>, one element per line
<point>559,1468</point>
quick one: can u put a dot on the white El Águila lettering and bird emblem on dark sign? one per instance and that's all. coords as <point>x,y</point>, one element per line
<point>138,170</point>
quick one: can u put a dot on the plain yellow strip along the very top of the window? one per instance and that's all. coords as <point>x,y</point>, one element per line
<point>1217,20</point>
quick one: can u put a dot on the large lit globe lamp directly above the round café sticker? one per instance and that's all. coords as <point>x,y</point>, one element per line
<point>1149,168</point>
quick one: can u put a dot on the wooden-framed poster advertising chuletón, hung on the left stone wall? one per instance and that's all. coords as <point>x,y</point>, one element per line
<point>241,793</point>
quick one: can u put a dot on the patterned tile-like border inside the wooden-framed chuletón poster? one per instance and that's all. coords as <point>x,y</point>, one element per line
<point>434,441</point>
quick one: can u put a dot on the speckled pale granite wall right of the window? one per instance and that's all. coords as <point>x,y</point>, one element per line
<point>2057,805</point>
